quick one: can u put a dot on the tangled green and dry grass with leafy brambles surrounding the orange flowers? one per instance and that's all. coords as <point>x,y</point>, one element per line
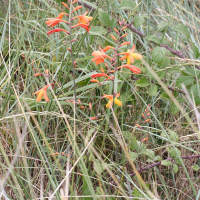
<point>101,155</point>
